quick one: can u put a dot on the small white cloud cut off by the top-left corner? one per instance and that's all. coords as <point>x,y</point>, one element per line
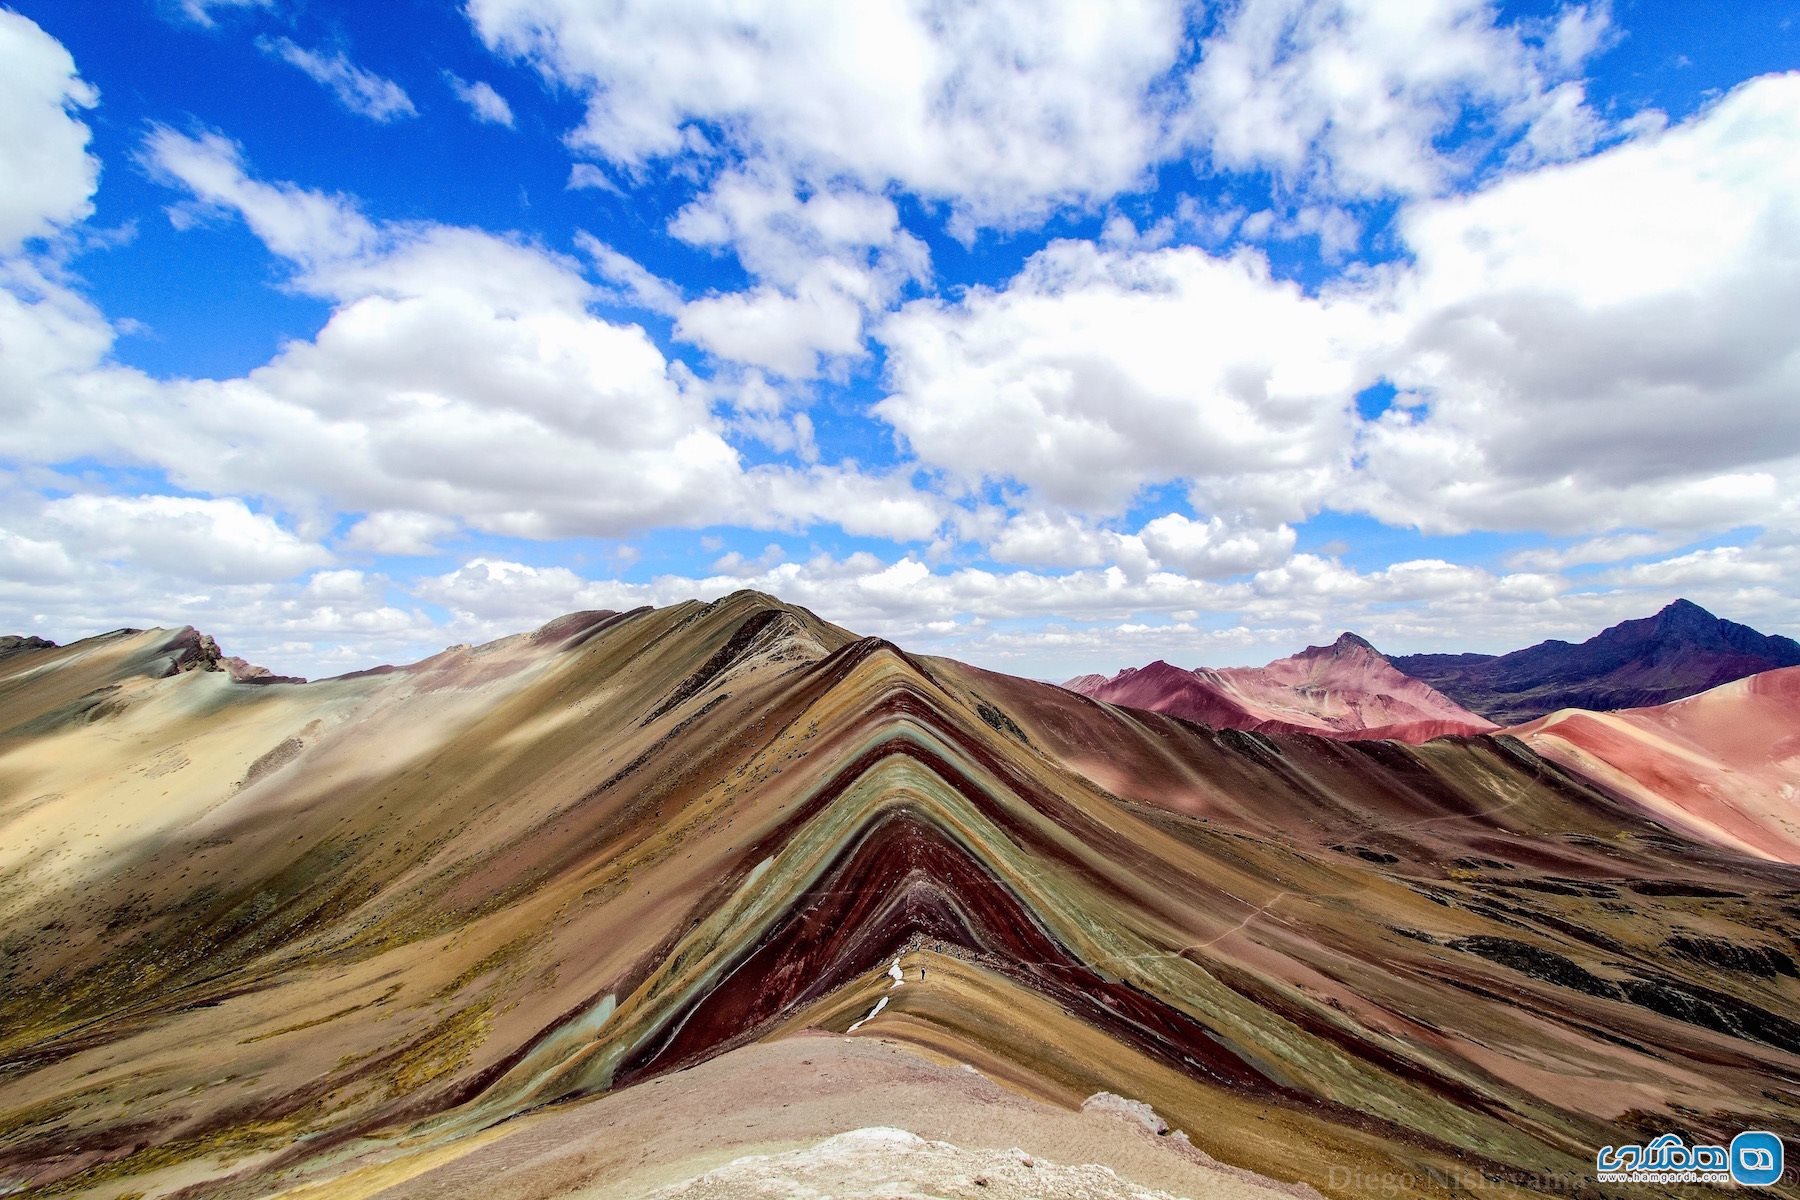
<point>44,147</point>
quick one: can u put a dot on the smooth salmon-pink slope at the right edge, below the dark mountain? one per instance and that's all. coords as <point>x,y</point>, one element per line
<point>1723,766</point>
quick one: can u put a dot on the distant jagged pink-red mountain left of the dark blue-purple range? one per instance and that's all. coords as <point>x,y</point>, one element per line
<point>1345,690</point>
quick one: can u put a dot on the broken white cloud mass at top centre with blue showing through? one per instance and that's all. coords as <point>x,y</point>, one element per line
<point>1003,111</point>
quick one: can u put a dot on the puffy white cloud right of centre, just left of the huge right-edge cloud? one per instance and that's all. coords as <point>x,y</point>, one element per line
<point>1101,372</point>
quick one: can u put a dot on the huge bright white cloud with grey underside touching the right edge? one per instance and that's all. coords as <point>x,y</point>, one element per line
<point>1606,343</point>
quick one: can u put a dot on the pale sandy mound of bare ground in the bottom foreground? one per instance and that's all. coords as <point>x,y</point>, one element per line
<point>814,1116</point>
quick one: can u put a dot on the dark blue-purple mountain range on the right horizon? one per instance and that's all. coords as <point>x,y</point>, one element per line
<point>1680,652</point>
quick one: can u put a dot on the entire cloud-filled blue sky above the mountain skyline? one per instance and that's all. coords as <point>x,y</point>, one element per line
<point>1036,336</point>
